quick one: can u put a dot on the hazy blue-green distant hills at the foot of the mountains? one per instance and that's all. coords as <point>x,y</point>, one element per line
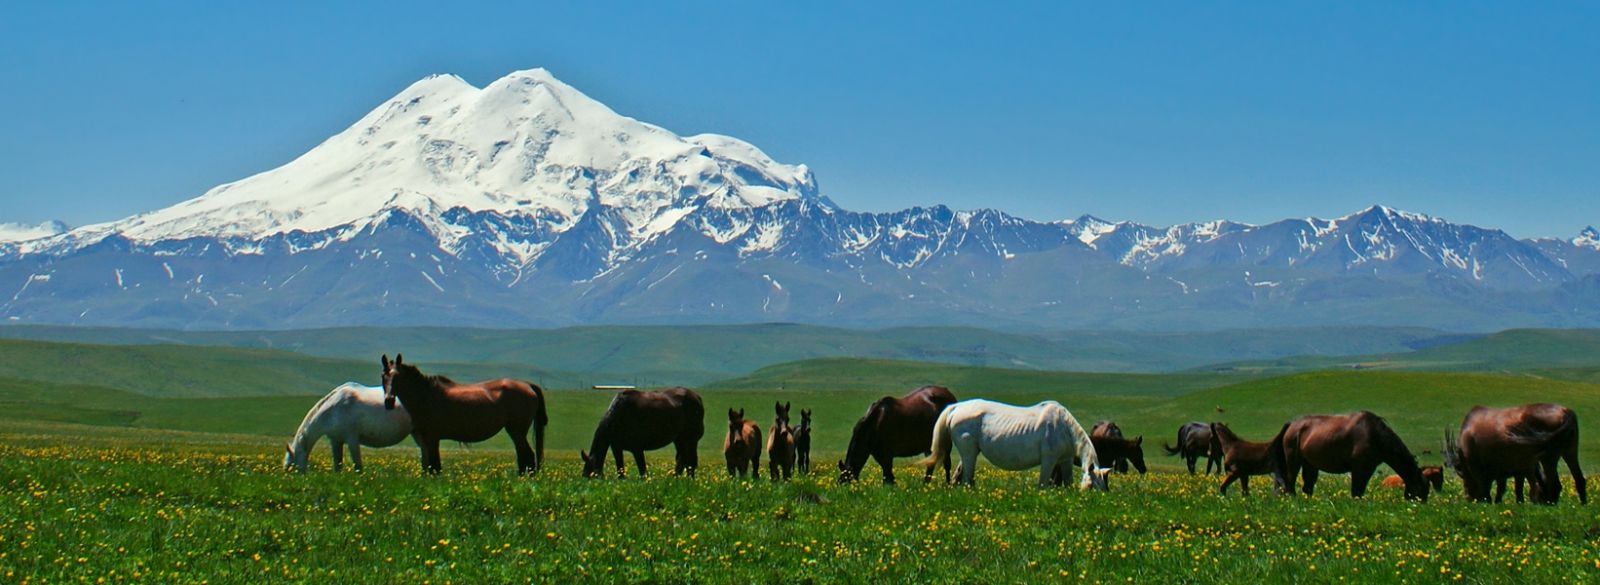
<point>697,356</point>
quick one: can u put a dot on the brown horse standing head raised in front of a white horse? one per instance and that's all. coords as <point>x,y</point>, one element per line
<point>470,413</point>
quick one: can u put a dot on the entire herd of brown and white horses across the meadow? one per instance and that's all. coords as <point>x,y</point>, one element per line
<point>1494,447</point>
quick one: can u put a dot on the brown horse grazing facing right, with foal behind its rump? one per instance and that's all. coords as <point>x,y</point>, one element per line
<point>1345,444</point>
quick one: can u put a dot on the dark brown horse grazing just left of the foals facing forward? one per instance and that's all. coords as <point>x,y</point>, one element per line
<point>647,421</point>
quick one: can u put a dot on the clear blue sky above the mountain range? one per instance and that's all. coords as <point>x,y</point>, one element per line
<point>1151,113</point>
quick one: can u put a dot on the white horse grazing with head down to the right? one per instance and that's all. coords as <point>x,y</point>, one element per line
<point>1015,439</point>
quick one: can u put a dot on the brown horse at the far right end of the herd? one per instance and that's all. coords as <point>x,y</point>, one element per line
<point>1522,442</point>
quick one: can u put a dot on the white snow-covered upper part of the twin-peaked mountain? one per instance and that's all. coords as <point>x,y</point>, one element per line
<point>524,146</point>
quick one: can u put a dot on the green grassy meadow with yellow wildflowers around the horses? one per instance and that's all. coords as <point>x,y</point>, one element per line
<point>111,476</point>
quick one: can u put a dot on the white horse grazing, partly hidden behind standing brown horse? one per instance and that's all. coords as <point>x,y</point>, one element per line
<point>353,416</point>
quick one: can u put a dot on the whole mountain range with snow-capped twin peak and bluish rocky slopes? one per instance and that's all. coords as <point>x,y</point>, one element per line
<point>527,204</point>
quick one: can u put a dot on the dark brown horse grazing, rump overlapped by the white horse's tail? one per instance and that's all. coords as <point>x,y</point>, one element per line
<point>897,428</point>
